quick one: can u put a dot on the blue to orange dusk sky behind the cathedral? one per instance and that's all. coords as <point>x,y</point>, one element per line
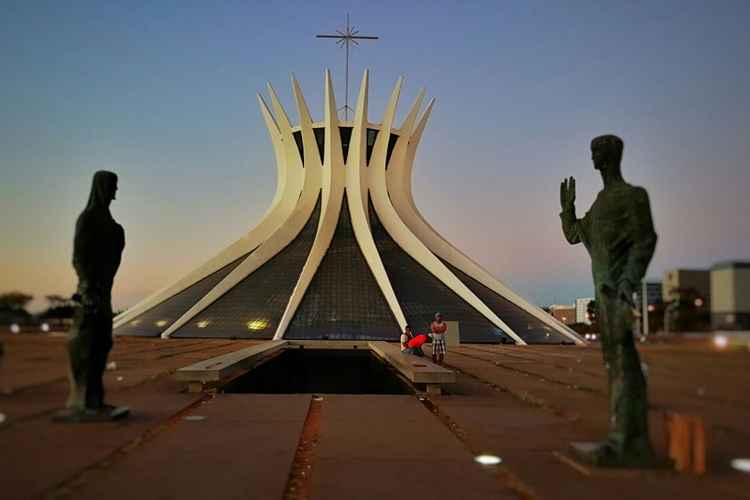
<point>163,93</point>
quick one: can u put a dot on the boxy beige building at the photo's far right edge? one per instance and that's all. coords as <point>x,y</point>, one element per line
<point>730,294</point>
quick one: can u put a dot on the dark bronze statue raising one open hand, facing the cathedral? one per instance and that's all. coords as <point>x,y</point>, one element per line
<point>619,235</point>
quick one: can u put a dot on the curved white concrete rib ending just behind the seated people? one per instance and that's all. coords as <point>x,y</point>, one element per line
<point>356,195</point>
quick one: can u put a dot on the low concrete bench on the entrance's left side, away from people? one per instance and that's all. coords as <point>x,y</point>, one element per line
<point>217,369</point>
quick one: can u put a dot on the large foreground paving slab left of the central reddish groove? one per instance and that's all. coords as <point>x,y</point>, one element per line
<point>242,449</point>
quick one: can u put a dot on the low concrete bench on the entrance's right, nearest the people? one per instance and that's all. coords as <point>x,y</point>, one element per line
<point>417,370</point>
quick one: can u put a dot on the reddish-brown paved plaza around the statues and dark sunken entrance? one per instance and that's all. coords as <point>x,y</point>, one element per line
<point>519,403</point>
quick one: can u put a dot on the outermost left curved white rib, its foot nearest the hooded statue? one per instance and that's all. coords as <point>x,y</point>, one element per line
<point>289,183</point>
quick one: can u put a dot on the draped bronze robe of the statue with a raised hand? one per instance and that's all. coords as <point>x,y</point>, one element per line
<point>619,235</point>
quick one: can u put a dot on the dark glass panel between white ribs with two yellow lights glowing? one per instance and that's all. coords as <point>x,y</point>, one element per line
<point>253,307</point>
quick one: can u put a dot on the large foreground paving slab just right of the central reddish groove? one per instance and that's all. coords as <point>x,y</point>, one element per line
<point>393,447</point>
